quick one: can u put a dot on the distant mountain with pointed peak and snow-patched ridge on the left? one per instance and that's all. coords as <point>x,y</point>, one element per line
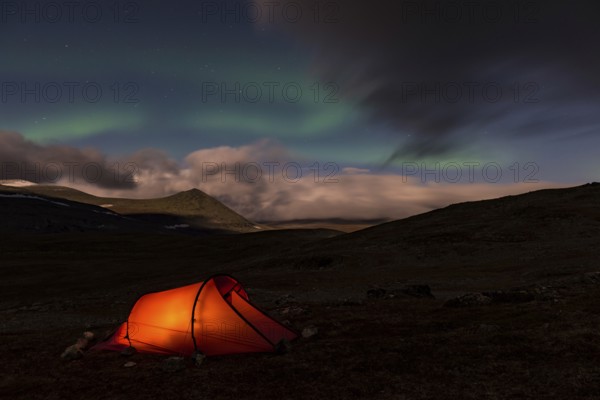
<point>190,211</point>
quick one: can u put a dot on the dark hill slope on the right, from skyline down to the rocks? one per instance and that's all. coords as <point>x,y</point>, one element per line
<point>502,242</point>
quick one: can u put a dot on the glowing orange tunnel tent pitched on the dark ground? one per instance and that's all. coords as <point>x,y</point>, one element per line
<point>214,317</point>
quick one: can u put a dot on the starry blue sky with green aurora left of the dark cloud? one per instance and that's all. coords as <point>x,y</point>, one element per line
<point>167,61</point>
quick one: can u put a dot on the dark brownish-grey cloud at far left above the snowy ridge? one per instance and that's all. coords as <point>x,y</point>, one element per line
<point>23,159</point>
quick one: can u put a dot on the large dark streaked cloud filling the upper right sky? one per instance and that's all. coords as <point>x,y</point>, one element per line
<point>447,70</point>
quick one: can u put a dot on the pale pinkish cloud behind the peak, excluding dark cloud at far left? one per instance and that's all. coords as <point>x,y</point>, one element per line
<point>263,182</point>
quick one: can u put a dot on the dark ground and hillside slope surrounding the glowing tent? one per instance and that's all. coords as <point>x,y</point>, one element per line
<point>380,330</point>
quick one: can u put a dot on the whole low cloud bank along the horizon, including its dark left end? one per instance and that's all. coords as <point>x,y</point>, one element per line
<point>262,181</point>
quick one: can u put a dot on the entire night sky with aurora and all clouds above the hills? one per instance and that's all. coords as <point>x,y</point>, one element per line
<point>376,88</point>
